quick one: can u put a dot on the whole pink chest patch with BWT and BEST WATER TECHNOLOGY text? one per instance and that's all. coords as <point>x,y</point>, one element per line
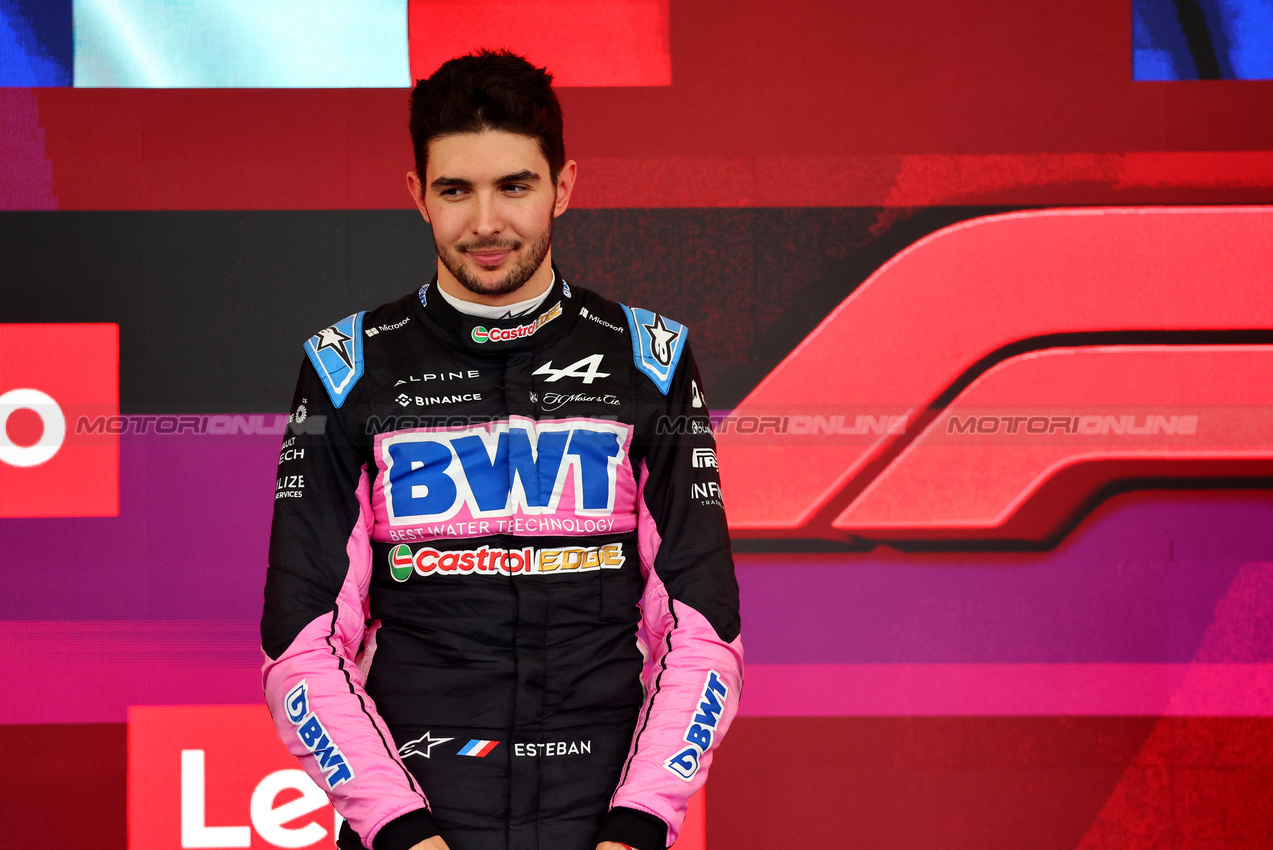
<point>566,477</point>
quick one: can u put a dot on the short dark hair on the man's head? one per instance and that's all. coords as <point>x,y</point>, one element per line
<point>488,91</point>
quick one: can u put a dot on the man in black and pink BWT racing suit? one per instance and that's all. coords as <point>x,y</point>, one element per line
<point>501,609</point>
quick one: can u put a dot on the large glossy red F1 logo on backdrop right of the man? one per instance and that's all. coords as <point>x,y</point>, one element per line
<point>999,376</point>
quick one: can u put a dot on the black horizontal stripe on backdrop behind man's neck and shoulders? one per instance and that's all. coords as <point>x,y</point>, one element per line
<point>213,307</point>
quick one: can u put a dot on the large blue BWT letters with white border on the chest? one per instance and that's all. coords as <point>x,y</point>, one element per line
<point>503,470</point>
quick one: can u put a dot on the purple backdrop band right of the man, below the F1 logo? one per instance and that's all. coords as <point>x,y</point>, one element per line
<point>1137,582</point>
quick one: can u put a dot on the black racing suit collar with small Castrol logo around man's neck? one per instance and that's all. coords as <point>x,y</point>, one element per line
<point>482,335</point>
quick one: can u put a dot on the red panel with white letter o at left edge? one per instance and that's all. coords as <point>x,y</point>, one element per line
<point>52,377</point>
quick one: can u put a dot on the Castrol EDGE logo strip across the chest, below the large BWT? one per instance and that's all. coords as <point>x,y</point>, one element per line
<point>501,562</point>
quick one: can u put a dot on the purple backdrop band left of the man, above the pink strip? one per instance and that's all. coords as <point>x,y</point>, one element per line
<point>190,543</point>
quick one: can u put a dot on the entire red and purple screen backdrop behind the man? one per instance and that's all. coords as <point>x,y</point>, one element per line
<point>983,311</point>
